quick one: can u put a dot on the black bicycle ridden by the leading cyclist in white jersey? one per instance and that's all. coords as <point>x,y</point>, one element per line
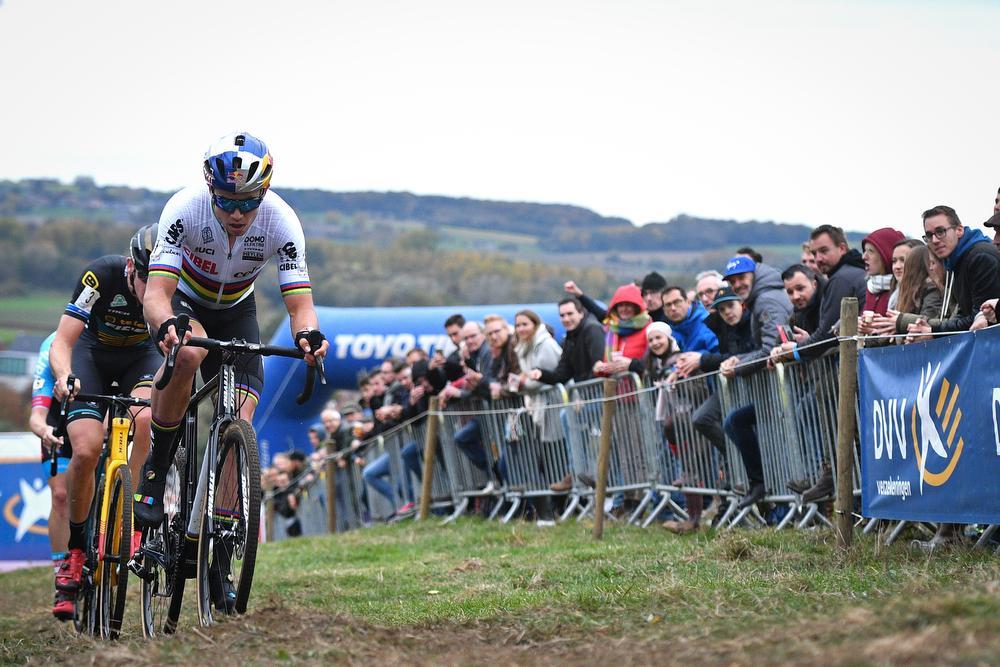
<point>212,512</point>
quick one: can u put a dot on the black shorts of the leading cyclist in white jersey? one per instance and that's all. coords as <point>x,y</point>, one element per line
<point>239,322</point>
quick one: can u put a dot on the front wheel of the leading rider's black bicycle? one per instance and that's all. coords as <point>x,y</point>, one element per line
<point>230,524</point>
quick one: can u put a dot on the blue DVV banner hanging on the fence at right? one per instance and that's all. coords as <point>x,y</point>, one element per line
<point>930,429</point>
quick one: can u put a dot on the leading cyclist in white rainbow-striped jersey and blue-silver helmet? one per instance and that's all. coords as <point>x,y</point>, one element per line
<point>212,243</point>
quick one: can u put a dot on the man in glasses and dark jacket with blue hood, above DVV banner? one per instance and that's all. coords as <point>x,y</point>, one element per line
<point>972,263</point>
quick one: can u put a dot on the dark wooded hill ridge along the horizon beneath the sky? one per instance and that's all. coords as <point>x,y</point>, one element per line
<point>357,215</point>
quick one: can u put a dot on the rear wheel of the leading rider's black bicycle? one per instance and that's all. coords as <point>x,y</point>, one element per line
<point>163,588</point>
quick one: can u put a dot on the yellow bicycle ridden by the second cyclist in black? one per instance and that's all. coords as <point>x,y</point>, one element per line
<point>100,599</point>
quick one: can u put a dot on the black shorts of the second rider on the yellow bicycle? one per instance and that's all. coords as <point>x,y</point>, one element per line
<point>98,367</point>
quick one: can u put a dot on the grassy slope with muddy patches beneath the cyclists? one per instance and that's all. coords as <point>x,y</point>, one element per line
<point>478,592</point>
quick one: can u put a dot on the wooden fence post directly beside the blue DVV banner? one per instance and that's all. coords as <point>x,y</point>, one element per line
<point>846,422</point>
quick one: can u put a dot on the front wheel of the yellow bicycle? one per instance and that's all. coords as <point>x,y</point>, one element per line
<point>115,554</point>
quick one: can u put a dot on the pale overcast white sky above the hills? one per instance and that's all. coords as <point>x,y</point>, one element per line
<point>859,114</point>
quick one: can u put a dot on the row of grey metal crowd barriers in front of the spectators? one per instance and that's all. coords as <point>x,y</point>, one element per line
<point>528,443</point>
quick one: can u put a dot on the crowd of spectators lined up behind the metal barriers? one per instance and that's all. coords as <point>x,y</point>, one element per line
<point>732,320</point>
